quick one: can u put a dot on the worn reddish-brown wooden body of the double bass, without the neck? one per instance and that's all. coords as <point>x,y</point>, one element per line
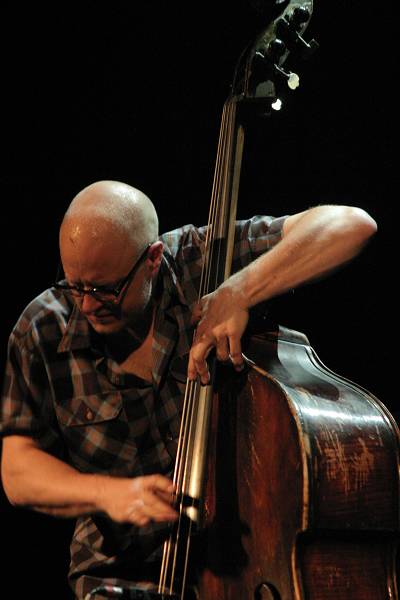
<point>303,495</point>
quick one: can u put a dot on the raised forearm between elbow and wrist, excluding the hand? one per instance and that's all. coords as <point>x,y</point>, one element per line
<point>319,241</point>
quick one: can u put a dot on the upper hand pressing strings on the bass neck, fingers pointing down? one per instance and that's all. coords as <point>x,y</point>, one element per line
<point>222,318</point>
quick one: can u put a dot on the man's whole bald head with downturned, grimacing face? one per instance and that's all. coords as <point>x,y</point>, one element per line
<point>107,229</point>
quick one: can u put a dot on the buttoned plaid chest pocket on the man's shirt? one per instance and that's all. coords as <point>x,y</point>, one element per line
<point>89,410</point>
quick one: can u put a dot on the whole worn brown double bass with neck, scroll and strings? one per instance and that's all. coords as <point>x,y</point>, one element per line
<point>287,474</point>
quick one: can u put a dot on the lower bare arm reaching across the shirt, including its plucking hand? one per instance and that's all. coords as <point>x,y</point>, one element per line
<point>35,479</point>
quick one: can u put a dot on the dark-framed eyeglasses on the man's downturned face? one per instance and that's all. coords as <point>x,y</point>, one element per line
<point>99,292</point>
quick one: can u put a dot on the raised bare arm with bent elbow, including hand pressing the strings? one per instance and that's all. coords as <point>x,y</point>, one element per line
<point>314,243</point>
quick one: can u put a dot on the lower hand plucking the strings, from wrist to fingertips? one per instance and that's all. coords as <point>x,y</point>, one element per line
<point>138,500</point>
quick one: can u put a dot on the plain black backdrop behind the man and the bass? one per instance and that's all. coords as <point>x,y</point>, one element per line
<point>133,91</point>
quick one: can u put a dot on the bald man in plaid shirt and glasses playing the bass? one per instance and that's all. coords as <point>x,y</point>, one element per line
<point>97,364</point>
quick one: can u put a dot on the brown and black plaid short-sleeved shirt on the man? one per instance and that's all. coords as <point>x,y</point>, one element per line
<point>62,389</point>
